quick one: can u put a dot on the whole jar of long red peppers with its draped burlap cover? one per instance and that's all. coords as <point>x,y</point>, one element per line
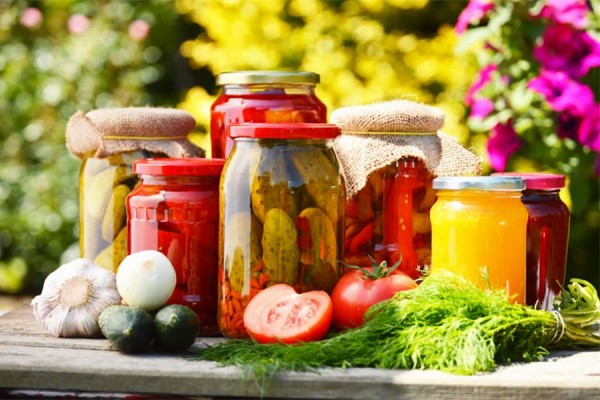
<point>390,152</point>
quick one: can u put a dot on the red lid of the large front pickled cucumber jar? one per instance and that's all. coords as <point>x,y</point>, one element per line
<point>284,131</point>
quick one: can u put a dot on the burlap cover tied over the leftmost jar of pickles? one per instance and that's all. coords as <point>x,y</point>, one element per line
<point>103,132</point>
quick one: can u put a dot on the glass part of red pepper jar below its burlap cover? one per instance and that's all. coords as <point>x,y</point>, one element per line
<point>388,219</point>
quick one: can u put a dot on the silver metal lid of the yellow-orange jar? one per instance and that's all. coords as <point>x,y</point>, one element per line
<point>491,183</point>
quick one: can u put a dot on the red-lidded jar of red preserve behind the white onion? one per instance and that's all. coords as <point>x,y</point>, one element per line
<point>175,210</point>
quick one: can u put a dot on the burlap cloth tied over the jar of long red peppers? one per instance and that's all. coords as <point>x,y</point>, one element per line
<point>379,134</point>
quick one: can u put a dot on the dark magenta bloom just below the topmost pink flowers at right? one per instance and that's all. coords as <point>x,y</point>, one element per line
<point>564,49</point>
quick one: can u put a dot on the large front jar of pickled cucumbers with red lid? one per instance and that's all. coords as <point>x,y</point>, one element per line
<point>282,213</point>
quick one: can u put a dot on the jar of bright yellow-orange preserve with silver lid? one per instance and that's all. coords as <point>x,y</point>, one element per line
<point>479,223</point>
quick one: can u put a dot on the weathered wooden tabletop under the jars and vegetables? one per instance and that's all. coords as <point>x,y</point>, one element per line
<point>31,359</point>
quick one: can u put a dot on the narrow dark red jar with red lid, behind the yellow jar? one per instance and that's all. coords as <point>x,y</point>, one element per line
<point>547,236</point>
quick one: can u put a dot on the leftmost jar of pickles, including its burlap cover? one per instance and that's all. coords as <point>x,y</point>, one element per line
<point>108,141</point>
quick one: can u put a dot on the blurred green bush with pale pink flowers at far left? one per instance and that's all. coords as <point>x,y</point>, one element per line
<point>51,65</point>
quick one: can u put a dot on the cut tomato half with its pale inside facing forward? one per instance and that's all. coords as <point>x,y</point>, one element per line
<point>279,314</point>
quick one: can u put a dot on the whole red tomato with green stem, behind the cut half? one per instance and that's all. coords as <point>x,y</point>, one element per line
<point>360,288</point>
